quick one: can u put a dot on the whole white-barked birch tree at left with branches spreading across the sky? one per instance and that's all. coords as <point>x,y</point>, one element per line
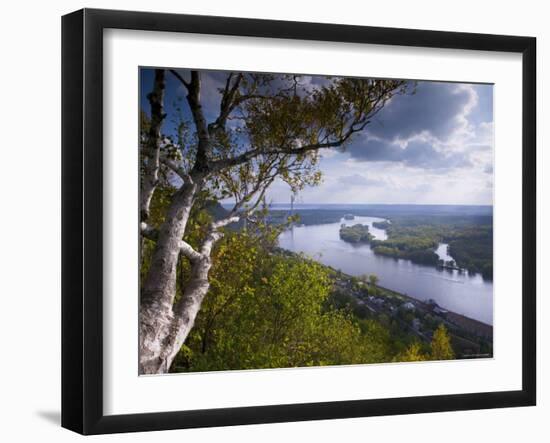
<point>267,127</point>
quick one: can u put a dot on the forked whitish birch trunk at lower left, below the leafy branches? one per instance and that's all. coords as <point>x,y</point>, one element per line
<point>164,326</point>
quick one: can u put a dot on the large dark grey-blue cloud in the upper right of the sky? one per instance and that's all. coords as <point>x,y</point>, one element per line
<point>441,126</point>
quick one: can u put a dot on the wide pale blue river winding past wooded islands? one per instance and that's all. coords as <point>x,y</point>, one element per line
<point>463,293</point>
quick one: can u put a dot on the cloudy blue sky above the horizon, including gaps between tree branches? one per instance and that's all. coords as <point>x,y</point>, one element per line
<point>431,147</point>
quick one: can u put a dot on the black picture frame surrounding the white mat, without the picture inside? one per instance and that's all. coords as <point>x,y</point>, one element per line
<point>82,219</point>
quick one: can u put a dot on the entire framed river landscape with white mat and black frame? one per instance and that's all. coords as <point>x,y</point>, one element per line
<point>270,221</point>
